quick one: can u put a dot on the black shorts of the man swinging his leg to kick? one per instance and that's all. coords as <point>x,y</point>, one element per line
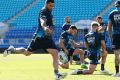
<point>41,43</point>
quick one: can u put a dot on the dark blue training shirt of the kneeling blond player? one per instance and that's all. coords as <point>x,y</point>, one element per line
<point>94,42</point>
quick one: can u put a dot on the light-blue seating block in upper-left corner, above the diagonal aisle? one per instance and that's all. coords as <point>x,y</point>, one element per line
<point>10,7</point>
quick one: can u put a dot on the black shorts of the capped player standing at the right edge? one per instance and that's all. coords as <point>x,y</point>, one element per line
<point>116,41</point>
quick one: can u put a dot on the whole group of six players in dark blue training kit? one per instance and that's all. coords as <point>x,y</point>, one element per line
<point>94,41</point>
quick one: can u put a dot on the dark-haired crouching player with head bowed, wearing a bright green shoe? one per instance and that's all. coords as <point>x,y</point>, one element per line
<point>67,44</point>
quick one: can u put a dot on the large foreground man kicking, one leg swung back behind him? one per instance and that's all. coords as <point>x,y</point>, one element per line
<point>43,38</point>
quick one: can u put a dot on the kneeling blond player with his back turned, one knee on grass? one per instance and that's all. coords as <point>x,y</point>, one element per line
<point>94,41</point>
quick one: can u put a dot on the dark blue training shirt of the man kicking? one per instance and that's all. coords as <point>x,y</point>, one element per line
<point>46,15</point>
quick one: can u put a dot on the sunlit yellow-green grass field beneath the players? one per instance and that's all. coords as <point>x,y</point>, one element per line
<point>39,67</point>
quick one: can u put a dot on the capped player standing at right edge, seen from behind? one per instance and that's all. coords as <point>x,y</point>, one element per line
<point>114,23</point>
